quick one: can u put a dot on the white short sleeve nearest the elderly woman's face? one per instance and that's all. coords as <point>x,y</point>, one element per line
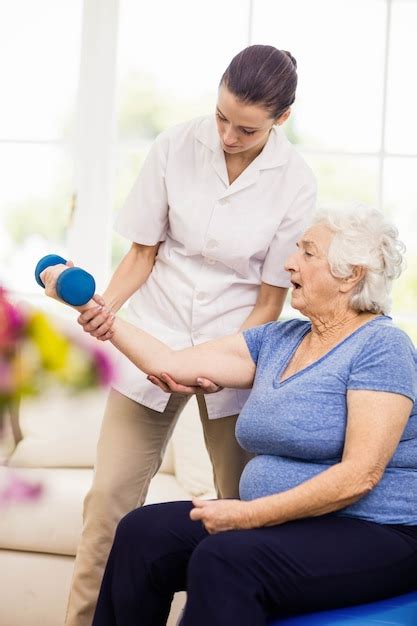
<point>287,234</point>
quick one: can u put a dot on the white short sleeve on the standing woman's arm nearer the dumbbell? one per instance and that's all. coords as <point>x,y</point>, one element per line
<point>144,216</point>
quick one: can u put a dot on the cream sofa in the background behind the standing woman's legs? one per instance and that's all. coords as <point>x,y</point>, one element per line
<point>53,444</point>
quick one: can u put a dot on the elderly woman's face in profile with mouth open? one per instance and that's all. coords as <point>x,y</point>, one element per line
<point>315,291</point>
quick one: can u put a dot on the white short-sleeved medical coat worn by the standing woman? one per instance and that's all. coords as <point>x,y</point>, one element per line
<point>219,242</point>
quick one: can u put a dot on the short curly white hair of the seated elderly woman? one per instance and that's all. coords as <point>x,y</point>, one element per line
<point>364,237</point>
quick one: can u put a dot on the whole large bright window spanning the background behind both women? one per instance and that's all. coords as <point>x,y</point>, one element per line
<point>353,119</point>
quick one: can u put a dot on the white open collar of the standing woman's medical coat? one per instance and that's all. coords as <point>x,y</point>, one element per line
<point>275,153</point>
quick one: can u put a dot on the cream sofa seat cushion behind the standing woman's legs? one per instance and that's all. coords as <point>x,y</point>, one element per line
<point>53,523</point>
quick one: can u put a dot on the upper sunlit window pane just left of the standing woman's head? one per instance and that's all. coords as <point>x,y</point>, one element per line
<point>170,60</point>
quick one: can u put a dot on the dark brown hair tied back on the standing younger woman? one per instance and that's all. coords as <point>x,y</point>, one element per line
<point>263,75</point>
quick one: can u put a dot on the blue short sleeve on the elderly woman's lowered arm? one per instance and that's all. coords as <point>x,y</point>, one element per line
<point>387,362</point>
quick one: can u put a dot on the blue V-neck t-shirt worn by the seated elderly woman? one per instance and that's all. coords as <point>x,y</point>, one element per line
<point>297,427</point>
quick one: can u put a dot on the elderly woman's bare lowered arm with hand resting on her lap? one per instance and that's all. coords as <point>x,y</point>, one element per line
<point>376,421</point>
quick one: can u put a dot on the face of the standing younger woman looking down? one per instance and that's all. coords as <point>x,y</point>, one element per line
<point>242,127</point>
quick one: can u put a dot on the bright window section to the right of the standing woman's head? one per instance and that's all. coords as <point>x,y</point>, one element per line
<point>354,115</point>
